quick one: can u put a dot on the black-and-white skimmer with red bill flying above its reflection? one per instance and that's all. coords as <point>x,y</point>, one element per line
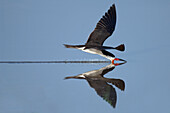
<point>103,30</point>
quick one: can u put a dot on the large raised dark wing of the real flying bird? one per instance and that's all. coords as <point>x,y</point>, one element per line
<point>104,28</point>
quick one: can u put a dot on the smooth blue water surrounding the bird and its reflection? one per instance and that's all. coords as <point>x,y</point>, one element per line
<point>36,30</point>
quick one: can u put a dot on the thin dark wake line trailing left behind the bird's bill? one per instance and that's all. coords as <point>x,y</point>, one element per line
<point>26,62</point>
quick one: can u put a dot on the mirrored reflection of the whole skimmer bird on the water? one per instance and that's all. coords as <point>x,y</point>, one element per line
<point>100,84</point>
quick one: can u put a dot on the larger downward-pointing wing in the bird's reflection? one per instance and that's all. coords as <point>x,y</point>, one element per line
<point>104,90</point>
